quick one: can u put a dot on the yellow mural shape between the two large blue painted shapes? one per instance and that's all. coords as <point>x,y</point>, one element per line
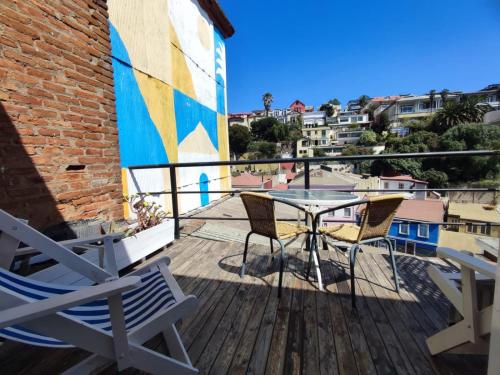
<point>159,98</point>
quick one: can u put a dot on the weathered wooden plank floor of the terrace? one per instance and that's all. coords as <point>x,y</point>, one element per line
<point>242,327</point>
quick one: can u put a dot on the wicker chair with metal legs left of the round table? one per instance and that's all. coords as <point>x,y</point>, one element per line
<point>260,210</point>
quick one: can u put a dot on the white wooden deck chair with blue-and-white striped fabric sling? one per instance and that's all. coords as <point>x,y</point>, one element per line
<point>112,320</point>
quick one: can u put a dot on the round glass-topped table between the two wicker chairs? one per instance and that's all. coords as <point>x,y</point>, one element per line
<point>313,200</point>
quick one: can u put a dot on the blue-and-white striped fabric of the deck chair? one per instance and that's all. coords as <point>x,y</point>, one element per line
<point>139,305</point>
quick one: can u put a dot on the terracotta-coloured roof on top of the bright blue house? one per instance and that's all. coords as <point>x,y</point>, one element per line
<point>421,210</point>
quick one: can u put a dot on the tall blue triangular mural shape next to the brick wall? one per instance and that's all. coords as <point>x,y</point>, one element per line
<point>139,140</point>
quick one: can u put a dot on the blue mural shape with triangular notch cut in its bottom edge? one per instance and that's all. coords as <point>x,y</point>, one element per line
<point>189,113</point>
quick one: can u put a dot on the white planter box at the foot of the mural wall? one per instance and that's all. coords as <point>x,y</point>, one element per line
<point>134,248</point>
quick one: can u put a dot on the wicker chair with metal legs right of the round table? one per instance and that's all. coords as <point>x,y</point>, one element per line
<point>376,219</point>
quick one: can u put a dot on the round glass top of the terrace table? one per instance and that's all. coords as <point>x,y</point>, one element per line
<point>314,196</point>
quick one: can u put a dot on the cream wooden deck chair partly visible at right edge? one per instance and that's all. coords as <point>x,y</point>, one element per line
<point>470,335</point>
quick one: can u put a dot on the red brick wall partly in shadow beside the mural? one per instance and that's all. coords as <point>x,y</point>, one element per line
<point>59,157</point>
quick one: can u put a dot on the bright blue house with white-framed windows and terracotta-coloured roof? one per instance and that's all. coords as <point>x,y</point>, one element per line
<point>412,230</point>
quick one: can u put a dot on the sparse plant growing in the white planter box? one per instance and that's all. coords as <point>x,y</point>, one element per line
<point>148,214</point>
